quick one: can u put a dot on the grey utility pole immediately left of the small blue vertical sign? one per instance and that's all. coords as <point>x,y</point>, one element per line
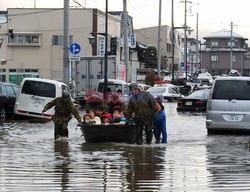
<point>125,40</point>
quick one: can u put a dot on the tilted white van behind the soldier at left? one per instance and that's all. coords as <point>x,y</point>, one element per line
<point>34,94</point>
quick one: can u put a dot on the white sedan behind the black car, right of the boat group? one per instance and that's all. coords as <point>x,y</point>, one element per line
<point>169,92</point>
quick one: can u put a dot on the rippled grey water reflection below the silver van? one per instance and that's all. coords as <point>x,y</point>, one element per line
<point>228,163</point>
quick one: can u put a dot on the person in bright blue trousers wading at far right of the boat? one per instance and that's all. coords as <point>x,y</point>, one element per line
<point>160,127</point>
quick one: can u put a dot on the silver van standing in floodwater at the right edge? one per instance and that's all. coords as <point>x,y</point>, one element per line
<point>228,106</point>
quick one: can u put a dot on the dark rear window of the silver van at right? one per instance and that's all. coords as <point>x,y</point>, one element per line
<point>231,89</point>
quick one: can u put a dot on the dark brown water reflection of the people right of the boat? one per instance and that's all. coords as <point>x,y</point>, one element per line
<point>146,168</point>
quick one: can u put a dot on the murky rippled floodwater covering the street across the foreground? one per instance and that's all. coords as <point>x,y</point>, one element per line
<point>30,160</point>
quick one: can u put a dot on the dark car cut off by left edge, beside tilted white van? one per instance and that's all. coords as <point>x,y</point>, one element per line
<point>8,92</point>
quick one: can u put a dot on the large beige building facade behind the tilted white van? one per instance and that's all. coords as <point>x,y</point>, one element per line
<point>37,47</point>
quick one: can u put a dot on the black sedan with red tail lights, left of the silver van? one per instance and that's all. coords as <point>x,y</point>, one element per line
<point>196,101</point>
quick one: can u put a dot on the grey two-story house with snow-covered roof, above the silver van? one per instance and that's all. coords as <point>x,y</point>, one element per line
<point>218,56</point>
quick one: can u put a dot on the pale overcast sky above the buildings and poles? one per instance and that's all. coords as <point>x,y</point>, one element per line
<point>213,14</point>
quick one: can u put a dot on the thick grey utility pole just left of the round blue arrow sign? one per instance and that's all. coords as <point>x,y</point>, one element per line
<point>66,43</point>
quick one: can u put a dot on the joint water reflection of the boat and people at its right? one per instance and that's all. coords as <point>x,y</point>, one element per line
<point>128,168</point>
